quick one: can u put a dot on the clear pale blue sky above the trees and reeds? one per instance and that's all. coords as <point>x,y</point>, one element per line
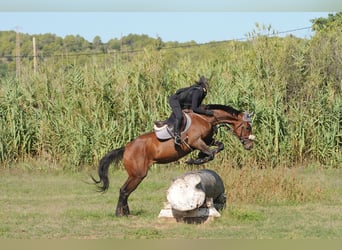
<point>183,26</point>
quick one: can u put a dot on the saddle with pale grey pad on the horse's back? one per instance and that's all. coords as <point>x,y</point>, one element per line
<point>164,129</point>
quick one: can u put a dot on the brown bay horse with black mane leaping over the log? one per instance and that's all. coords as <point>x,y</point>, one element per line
<point>143,151</point>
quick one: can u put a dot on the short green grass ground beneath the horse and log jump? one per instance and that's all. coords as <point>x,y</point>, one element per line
<point>61,205</point>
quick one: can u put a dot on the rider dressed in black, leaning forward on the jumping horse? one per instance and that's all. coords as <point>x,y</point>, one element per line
<point>188,98</point>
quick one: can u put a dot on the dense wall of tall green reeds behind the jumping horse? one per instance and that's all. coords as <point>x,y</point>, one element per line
<point>76,108</point>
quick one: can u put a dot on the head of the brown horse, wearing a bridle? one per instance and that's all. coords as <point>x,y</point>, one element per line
<point>243,130</point>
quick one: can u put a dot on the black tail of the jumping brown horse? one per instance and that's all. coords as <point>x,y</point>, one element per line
<point>115,155</point>
